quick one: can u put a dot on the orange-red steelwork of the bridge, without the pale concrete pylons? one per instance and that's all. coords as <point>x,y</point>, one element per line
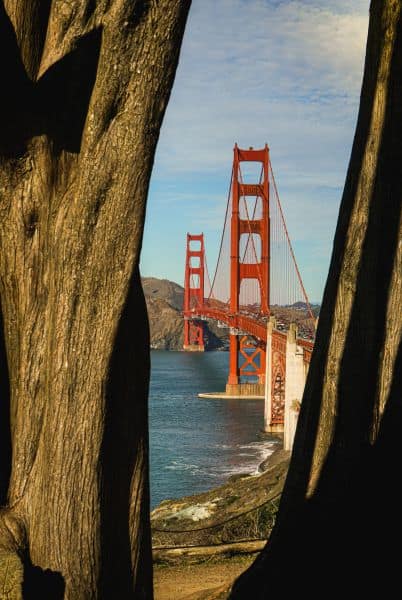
<point>256,275</point>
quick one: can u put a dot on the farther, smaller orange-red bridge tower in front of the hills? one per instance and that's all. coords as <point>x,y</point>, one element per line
<point>194,292</point>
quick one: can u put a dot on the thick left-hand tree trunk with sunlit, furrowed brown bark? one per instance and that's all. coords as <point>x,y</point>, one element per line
<point>84,89</point>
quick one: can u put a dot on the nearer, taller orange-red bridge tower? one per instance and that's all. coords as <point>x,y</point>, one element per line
<point>254,358</point>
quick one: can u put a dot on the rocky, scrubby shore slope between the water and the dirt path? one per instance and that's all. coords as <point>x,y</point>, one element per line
<point>241,510</point>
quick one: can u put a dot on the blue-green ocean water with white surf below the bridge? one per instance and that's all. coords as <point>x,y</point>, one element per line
<point>197,443</point>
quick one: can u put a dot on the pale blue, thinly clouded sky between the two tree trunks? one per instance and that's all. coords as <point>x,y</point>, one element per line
<point>283,72</point>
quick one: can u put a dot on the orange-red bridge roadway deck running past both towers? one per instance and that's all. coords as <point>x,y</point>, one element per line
<point>243,323</point>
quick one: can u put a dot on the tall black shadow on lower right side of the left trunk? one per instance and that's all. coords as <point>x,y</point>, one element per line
<point>124,446</point>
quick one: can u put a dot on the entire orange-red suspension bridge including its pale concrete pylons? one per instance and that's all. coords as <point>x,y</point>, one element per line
<point>256,292</point>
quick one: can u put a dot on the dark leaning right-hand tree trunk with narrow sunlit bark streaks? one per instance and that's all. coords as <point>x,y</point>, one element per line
<point>340,516</point>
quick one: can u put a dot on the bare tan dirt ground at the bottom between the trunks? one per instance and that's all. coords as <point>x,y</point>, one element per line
<point>201,581</point>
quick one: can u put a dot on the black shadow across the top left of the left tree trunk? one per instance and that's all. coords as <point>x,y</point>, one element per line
<point>57,104</point>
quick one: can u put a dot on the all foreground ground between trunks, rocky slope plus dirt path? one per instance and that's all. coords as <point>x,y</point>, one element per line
<point>202,543</point>
